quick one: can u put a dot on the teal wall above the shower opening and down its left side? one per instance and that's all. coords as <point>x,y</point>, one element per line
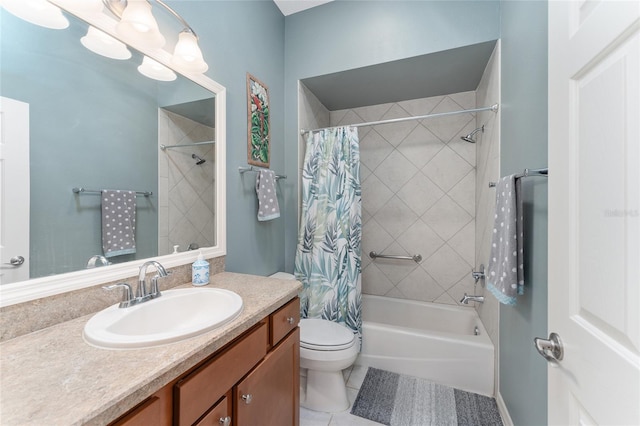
<point>343,35</point>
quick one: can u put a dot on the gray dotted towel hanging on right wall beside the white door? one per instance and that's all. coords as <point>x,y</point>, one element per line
<point>505,274</point>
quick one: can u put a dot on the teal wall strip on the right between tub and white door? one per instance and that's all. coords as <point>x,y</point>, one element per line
<point>523,373</point>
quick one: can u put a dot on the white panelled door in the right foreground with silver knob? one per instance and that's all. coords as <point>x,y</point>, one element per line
<point>594,211</point>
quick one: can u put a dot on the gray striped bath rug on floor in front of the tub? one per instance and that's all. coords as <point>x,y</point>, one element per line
<point>398,400</point>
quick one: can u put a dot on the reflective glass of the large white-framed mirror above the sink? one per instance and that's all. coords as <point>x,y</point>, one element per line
<point>97,123</point>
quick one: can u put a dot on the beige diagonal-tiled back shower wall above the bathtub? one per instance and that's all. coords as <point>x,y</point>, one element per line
<point>418,194</point>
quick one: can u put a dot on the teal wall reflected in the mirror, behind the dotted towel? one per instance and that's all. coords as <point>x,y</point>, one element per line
<point>75,97</point>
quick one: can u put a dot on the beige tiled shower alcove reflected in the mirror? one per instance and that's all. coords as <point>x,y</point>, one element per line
<point>186,191</point>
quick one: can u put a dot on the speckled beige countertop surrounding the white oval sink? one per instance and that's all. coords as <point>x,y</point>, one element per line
<point>53,377</point>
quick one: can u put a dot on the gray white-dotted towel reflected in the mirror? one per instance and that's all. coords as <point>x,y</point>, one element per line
<point>118,222</point>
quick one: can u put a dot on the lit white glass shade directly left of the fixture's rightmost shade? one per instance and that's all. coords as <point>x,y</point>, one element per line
<point>137,23</point>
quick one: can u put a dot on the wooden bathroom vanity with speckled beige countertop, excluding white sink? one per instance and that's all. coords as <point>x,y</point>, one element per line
<point>243,373</point>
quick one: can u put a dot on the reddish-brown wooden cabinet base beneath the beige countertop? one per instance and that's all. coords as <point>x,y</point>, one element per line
<point>262,366</point>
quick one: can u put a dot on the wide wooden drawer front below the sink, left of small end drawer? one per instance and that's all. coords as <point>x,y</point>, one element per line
<point>198,391</point>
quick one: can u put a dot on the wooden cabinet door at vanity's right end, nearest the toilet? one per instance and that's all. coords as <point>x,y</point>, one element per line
<point>270,394</point>
